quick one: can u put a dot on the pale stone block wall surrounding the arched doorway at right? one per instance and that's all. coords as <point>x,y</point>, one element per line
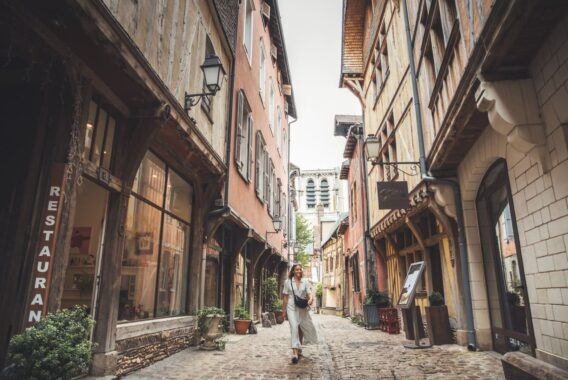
<point>539,185</point>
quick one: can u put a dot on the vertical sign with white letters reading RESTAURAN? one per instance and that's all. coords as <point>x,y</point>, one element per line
<point>43,260</point>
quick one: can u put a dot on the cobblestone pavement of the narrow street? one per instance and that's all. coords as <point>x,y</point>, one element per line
<point>345,351</point>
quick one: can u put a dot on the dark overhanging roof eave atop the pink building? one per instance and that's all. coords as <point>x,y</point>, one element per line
<point>277,35</point>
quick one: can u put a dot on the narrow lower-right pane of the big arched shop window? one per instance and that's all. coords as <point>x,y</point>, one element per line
<point>173,268</point>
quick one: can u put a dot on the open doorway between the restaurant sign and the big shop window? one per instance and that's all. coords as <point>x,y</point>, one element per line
<point>86,245</point>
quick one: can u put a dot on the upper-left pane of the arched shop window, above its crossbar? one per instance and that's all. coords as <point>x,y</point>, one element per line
<point>150,179</point>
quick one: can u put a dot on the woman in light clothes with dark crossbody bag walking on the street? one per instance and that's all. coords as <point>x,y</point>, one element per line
<point>296,303</point>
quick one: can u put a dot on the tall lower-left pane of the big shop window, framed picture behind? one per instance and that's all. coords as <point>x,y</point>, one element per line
<point>139,261</point>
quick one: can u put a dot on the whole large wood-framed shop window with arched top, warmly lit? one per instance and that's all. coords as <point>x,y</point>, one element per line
<point>155,256</point>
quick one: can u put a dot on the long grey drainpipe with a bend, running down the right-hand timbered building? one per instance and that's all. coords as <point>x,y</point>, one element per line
<point>472,344</point>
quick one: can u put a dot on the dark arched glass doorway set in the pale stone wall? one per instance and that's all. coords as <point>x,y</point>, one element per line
<point>508,301</point>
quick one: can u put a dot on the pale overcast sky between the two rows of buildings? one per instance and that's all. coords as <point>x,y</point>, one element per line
<point>312,34</point>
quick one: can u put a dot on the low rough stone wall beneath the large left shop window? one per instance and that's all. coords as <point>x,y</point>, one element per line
<point>141,351</point>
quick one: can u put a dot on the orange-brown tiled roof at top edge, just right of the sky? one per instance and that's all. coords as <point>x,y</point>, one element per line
<point>352,37</point>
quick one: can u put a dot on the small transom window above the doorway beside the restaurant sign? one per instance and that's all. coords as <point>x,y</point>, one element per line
<point>99,136</point>
